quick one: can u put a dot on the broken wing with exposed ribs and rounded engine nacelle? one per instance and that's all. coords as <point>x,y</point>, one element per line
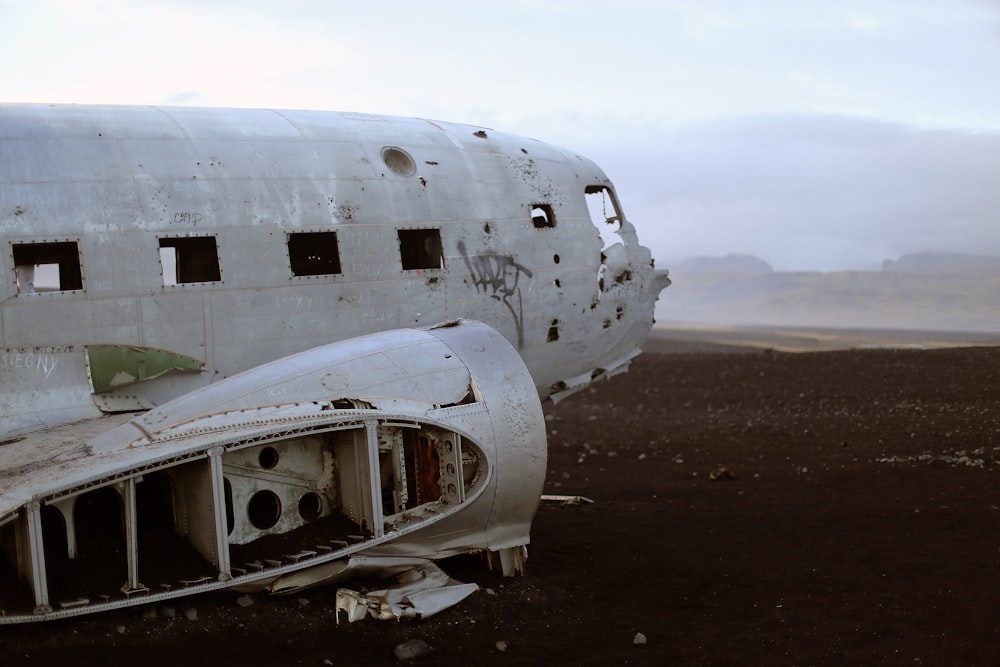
<point>387,445</point>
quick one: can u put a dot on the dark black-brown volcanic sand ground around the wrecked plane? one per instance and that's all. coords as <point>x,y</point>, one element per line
<point>862,526</point>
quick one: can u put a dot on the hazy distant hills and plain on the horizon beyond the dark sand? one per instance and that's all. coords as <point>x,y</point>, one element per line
<point>928,291</point>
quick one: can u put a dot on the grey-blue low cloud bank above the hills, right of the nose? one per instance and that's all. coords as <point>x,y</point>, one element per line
<point>815,192</point>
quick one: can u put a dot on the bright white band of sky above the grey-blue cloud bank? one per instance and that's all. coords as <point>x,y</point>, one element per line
<point>640,62</point>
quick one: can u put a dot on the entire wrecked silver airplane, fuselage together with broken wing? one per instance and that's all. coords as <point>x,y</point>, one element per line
<point>187,245</point>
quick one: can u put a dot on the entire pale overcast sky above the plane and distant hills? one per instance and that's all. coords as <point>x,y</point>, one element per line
<point>816,135</point>
